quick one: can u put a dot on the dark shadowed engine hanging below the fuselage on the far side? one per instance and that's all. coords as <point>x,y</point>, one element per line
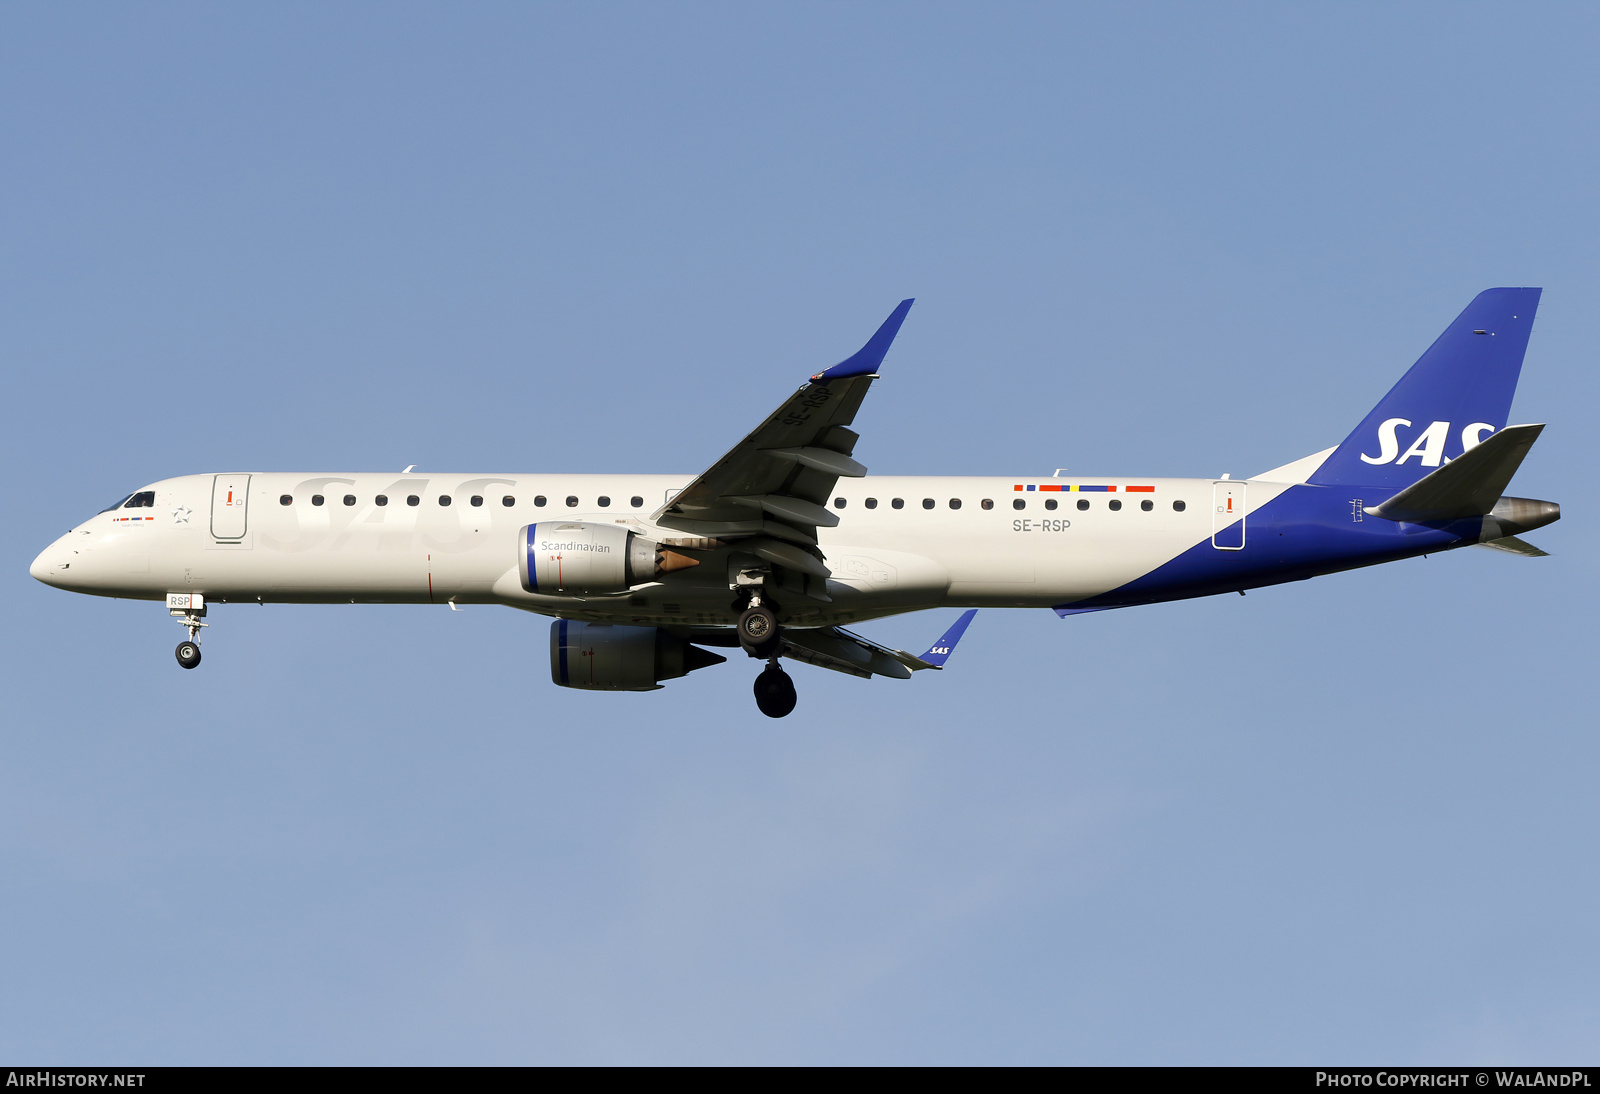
<point>615,658</point>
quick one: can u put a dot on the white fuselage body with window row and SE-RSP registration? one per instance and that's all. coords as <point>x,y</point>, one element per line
<point>234,540</point>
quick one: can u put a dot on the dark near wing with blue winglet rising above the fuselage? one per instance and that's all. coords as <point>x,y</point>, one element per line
<point>770,492</point>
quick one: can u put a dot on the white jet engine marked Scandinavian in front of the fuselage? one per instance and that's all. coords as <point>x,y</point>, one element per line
<point>566,559</point>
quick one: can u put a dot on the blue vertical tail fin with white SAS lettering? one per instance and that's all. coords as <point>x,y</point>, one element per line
<point>1454,397</point>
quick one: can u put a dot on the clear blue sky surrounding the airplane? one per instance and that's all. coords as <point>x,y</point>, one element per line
<point>1343,821</point>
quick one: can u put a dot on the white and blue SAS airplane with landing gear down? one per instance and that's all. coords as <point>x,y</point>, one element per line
<point>786,540</point>
